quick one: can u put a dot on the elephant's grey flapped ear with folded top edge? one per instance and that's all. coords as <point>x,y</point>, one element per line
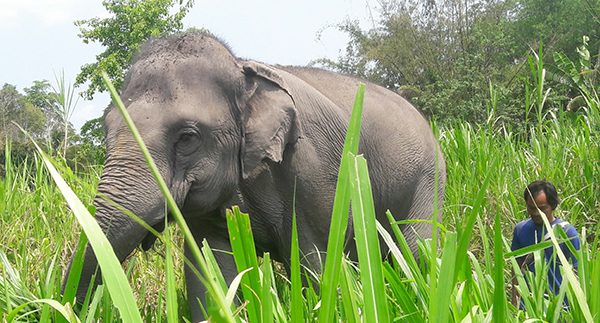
<point>269,118</point>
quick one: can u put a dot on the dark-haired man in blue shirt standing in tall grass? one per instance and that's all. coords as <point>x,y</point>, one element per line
<point>542,196</point>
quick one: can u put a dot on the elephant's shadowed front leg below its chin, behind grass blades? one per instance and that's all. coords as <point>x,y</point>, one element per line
<point>219,242</point>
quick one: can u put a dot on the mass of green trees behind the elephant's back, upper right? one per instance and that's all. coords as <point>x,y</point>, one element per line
<point>442,54</point>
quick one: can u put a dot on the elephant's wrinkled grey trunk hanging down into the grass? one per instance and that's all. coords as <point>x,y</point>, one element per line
<point>128,183</point>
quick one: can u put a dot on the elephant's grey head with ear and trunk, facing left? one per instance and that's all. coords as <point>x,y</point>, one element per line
<point>210,122</point>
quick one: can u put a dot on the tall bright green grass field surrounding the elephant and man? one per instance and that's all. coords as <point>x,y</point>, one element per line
<point>466,278</point>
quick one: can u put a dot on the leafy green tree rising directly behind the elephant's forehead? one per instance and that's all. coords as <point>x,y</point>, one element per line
<point>132,22</point>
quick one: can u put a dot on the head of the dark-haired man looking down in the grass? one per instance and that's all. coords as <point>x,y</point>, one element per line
<point>541,195</point>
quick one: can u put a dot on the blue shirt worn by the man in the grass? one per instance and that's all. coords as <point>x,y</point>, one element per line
<point>527,233</point>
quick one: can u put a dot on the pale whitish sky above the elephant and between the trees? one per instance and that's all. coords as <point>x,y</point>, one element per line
<point>38,40</point>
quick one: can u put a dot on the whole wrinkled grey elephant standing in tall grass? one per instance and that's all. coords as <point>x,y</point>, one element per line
<point>225,131</point>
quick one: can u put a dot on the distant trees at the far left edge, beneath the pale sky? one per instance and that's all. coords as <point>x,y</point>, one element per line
<point>44,112</point>
